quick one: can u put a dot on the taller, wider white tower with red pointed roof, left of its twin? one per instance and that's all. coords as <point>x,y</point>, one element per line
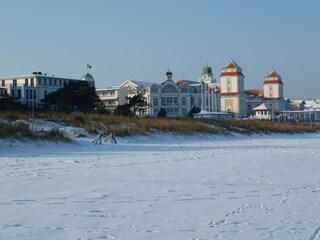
<point>232,90</point>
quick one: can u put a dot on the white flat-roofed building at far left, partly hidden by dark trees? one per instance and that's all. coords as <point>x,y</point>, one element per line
<point>31,89</point>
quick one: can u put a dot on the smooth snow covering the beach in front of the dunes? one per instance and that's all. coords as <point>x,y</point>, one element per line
<point>162,187</point>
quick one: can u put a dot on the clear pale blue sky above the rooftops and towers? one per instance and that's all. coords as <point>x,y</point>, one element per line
<point>141,39</point>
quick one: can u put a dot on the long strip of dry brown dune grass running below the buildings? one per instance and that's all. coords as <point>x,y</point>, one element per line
<point>124,126</point>
